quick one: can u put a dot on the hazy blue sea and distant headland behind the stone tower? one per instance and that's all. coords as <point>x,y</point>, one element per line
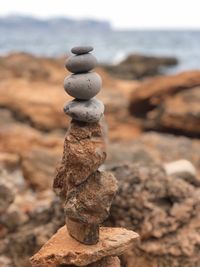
<point>53,37</point>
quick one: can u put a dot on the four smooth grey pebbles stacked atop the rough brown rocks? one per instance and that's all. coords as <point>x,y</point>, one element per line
<point>83,85</point>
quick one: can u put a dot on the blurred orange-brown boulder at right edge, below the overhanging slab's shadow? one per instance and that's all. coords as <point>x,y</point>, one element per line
<point>179,113</point>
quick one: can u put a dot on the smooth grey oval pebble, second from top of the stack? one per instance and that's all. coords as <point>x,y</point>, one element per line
<point>81,63</point>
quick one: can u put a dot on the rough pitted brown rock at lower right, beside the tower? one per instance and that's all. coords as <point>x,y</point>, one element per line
<point>163,209</point>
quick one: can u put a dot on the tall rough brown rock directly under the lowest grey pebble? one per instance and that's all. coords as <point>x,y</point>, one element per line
<point>84,151</point>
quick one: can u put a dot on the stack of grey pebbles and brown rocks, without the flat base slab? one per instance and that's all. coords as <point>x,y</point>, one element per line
<point>86,192</point>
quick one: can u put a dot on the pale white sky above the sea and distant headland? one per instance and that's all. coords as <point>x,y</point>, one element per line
<point>123,14</point>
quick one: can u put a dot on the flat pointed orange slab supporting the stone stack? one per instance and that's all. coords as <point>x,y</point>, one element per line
<point>62,249</point>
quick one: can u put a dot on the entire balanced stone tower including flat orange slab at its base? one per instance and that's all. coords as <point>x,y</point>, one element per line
<point>85,191</point>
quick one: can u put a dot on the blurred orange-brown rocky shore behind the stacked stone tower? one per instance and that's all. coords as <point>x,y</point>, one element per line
<point>150,124</point>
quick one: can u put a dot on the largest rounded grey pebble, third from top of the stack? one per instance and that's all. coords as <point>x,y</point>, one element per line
<point>83,86</point>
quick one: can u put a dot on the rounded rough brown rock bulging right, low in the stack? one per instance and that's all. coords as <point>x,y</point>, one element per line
<point>90,201</point>
